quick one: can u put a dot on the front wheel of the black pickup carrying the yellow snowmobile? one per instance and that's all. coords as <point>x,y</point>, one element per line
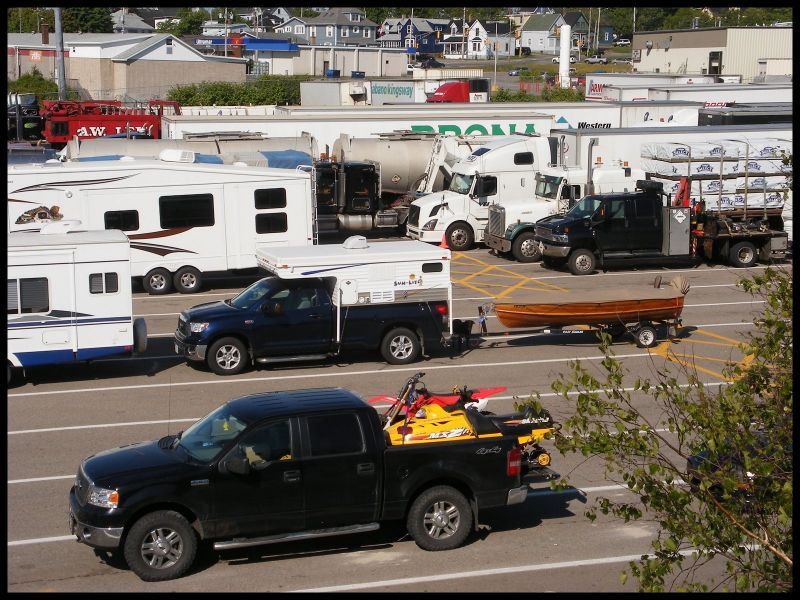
<point>160,546</point>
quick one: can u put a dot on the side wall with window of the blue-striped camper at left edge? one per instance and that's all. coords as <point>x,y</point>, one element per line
<point>42,307</point>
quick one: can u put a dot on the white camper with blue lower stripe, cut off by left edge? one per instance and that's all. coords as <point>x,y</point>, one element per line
<point>69,297</point>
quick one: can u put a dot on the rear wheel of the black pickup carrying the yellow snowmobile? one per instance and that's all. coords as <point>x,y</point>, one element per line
<point>440,519</point>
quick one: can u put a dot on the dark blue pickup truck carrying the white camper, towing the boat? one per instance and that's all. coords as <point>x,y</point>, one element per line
<point>278,320</point>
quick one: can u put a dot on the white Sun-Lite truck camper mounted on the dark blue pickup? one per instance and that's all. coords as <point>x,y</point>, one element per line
<point>368,273</point>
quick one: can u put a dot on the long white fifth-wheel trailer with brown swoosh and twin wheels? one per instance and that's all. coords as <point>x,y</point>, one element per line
<point>183,219</point>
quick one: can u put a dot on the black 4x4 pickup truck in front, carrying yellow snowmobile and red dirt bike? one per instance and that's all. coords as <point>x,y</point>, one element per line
<point>284,466</point>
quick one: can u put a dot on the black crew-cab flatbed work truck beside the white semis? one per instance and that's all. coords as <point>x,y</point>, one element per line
<point>647,225</point>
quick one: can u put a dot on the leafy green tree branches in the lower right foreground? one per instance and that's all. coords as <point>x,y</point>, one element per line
<point>751,532</point>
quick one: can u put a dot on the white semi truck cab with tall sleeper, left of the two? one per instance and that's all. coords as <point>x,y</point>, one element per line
<point>501,171</point>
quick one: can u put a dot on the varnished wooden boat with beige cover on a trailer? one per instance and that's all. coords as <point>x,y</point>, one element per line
<point>607,307</point>
